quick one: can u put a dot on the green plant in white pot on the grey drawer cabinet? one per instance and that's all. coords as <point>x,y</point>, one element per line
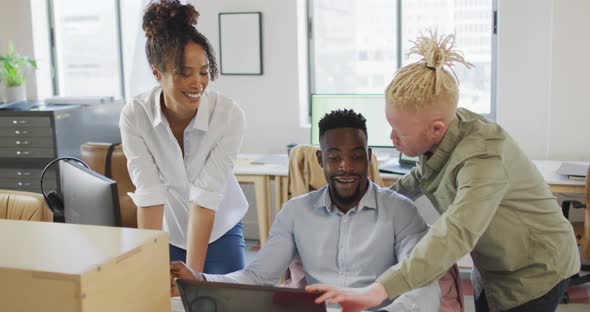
<point>13,68</point>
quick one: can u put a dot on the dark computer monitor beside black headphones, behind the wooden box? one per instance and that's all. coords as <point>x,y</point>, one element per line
<point>89,198</point>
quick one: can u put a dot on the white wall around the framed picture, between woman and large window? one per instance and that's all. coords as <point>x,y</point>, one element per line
<point>271,101</point>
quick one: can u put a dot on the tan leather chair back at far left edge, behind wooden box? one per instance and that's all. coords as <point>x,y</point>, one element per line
<point>27,206</point>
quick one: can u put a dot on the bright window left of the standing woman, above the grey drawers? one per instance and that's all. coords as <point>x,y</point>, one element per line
<point>86,48</point>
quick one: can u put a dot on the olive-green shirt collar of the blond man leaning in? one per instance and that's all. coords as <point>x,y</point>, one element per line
<point>444,150</point>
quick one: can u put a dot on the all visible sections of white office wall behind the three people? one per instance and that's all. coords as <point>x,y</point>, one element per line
<point>542,72</point>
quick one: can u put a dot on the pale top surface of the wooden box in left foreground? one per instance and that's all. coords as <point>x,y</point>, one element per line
<point>65,248</point>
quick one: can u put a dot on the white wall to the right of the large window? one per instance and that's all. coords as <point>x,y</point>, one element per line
<point>542,76</point>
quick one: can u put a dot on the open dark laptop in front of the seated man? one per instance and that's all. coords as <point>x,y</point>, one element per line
<point>200,296</point>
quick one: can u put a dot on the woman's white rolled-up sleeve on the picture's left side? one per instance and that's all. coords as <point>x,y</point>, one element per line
<point>149,190</point>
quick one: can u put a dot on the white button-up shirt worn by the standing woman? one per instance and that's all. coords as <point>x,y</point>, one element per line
<point>204,175</point>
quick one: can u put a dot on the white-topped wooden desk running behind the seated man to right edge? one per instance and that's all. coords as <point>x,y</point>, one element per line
<point>261,175</point>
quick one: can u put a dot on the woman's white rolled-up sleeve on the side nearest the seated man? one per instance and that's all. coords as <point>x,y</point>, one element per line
<point>208,188</point>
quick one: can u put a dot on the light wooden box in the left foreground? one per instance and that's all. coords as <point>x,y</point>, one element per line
<point>79,268</point>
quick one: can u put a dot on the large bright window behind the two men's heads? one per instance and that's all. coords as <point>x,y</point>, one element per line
<point>357,45</point>
